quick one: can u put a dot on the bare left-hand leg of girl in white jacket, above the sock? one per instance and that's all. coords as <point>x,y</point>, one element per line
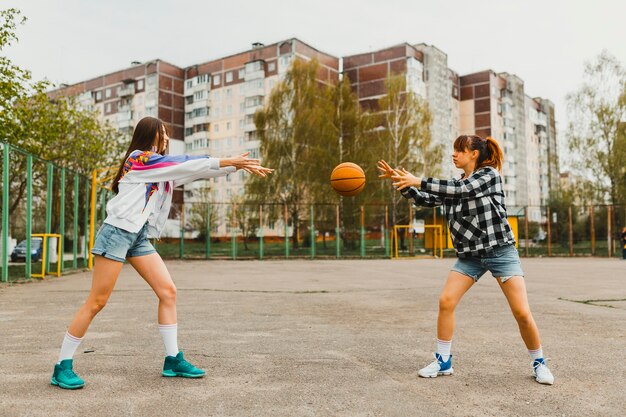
<point>105,273</point>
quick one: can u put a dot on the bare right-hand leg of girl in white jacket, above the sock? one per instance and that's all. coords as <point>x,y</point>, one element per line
<point>155,273</point>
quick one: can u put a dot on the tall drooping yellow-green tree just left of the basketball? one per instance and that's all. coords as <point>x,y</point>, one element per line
<point>298,140</point>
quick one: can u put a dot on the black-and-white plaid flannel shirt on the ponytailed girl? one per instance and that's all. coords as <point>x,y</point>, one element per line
<point>474,207</point>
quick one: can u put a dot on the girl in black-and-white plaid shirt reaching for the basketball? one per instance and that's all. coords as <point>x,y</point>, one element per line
<point>483,241</point>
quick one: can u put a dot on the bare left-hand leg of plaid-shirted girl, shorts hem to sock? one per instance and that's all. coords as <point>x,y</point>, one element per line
<point>456,286</point>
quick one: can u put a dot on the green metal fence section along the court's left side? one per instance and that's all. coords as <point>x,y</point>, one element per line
<point>39,196</point>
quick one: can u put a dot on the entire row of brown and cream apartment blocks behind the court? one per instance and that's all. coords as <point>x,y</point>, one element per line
<point>210,107</point>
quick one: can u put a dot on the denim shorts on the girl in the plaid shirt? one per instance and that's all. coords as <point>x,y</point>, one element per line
<point>503,263</point>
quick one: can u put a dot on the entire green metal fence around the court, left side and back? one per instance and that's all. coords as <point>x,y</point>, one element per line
<point>39,196</point>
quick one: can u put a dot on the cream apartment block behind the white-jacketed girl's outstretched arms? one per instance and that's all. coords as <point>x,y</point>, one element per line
<point>221,97</point>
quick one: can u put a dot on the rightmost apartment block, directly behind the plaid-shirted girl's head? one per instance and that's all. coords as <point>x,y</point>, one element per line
<point>494,104</point>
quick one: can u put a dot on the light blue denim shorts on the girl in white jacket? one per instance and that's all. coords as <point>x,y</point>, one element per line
<point>118,244</point>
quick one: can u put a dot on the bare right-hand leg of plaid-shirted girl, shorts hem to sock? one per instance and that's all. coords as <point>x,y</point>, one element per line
<point>515,291</point>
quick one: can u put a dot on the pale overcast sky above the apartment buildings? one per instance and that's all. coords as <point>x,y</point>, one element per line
<point>544,42</point>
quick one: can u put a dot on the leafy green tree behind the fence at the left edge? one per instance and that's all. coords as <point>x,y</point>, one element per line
<point>58,130</point>
